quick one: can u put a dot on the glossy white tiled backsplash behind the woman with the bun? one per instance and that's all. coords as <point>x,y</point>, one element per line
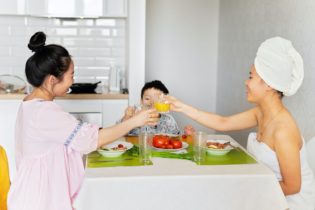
<point>95,44</point>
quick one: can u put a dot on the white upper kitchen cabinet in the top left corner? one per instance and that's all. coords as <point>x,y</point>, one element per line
<point>12,7</point>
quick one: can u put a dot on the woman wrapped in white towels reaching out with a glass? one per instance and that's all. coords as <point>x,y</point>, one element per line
<point>277,71</point>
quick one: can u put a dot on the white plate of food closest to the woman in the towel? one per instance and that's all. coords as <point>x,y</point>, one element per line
<point>218,147</point>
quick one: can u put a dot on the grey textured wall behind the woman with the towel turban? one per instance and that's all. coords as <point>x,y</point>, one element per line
<point>244,24</point>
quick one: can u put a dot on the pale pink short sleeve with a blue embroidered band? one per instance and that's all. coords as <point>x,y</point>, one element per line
<point>60,127</point>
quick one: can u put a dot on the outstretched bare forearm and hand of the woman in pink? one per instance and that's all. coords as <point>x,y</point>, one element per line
<point>145,117</point>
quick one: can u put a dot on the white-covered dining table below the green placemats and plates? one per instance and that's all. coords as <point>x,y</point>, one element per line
<point>174,184</point>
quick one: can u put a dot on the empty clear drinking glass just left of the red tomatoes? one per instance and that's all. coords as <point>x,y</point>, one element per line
<point>145,142</point>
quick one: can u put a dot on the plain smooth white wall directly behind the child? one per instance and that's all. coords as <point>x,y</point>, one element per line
<point>181,50</point>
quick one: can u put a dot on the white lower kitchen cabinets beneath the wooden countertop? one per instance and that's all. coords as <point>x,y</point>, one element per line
<point>105,113</point>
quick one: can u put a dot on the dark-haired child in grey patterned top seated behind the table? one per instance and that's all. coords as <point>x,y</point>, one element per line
<point>166,124</point>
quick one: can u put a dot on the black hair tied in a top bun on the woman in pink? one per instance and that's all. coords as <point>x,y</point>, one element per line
<point>47,60</point>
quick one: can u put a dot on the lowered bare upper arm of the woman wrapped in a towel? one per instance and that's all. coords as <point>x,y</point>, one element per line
<point>287,148</point>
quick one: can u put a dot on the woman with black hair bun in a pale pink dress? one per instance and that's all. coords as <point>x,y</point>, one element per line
<point>49,141</point>
